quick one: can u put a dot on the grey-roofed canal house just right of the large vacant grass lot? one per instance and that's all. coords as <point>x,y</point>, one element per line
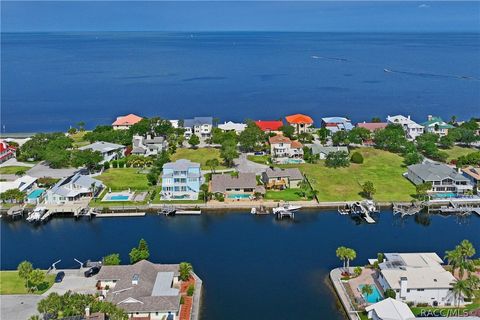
<point>444,179</point>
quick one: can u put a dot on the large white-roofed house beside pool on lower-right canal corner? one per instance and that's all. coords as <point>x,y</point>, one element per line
<point>417,278</point>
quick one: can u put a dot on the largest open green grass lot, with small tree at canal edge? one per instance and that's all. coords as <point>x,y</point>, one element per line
<point>383,168</point>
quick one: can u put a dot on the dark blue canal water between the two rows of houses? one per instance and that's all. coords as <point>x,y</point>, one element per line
<point>253,267</point>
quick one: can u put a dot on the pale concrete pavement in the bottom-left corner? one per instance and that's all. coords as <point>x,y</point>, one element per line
<point>18,306</point>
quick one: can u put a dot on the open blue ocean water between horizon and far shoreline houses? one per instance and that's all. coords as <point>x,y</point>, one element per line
<point>53,80</point>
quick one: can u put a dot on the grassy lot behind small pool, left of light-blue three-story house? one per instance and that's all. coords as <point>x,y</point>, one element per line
<point>119,179</point>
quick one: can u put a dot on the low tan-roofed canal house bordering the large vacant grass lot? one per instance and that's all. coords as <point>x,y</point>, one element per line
<point>277,178</point>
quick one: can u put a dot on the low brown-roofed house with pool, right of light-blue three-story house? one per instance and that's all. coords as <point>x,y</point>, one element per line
<point>241,187</point>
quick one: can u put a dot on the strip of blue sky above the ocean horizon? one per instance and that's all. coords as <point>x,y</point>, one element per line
<point>339,16</point>
